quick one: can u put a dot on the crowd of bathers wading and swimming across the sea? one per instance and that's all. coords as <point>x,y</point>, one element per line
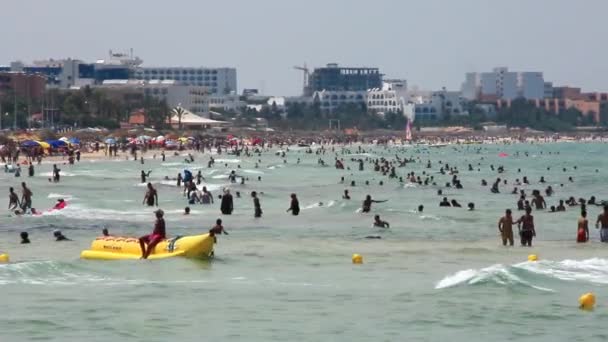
<point>385,167</point>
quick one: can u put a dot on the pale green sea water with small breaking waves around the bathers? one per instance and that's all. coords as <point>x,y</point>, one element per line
<point>434,276</point>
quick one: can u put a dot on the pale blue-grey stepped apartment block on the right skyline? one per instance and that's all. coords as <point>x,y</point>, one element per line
<point>503,84</point>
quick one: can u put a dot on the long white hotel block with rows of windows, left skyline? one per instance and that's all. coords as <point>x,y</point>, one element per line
<point>218,81</point>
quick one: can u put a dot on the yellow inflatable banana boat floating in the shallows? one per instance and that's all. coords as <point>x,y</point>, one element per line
<point>119,248</point>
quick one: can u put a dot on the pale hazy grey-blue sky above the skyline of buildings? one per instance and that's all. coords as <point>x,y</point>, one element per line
<point>431,43</point>
